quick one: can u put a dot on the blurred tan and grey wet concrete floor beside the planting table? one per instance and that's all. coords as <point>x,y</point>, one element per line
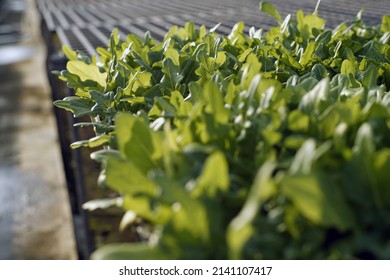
<point>35,220</point>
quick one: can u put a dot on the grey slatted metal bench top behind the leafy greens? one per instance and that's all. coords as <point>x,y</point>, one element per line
<point>86,24</point>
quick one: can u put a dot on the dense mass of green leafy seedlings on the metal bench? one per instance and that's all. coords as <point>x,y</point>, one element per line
<point>272,145</point>
